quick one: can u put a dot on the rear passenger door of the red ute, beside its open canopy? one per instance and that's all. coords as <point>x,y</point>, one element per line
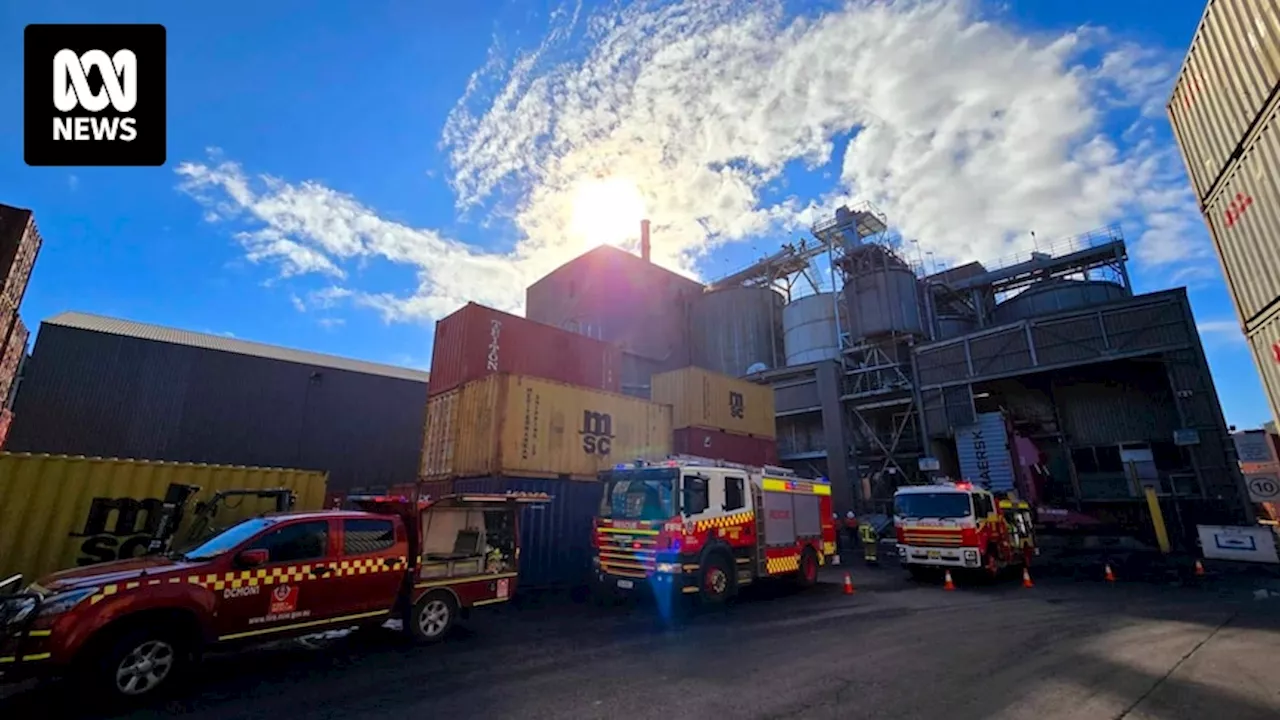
<point>374,555</point>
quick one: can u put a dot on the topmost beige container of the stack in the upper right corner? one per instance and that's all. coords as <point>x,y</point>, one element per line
<point>1231,72</point>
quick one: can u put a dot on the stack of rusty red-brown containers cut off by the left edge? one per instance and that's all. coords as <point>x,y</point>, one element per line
<point>20,244</point>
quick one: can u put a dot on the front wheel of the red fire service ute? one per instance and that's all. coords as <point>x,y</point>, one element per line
<point>140,664</point>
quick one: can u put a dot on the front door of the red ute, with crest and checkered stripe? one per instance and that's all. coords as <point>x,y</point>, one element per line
<point>294,593</point>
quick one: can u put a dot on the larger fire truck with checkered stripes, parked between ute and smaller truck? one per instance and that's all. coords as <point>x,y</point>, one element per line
<point>691,526</point>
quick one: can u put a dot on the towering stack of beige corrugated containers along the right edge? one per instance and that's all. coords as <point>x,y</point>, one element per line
<point>1224,112</point>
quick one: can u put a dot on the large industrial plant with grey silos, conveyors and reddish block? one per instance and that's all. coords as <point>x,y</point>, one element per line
<point>1044,373</point>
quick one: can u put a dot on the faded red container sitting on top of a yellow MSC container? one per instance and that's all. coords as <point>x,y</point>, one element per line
<point>479,341</point>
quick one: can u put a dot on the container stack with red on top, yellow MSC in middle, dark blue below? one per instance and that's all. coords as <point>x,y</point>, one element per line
<point>516,405</point>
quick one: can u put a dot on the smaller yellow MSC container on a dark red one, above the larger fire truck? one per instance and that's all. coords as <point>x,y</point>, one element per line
<point>720,417</point>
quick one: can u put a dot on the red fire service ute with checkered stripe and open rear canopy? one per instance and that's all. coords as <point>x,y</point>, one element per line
<point>131,627</point>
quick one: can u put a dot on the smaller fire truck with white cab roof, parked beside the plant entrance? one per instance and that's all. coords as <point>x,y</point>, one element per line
<point>958,526</point>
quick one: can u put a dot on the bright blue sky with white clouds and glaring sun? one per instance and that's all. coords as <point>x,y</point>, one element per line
<point>341,175</point>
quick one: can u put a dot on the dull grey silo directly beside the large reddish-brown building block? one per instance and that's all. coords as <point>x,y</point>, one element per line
<point>737,329</point>
